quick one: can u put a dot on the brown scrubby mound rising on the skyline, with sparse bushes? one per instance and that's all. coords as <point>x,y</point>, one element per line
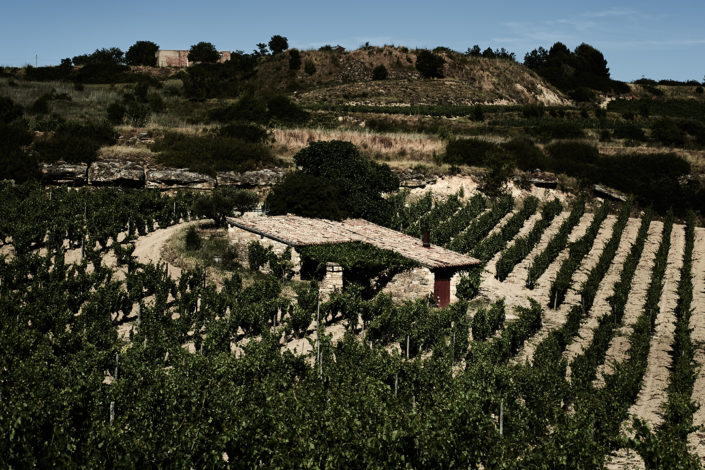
<point>342,77</point>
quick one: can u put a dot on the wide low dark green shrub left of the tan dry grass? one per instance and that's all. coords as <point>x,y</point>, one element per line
<point>211,153</point>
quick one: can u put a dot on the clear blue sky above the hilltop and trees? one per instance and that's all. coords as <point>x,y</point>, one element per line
<point>659,40</point>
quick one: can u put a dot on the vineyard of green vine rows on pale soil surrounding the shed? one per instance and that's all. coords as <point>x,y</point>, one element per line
<point>578,343</point>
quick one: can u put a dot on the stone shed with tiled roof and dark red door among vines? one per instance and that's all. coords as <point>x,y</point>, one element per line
<point>438,272</point>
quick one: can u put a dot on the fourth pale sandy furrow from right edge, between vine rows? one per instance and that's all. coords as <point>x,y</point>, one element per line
<point>600,306</point>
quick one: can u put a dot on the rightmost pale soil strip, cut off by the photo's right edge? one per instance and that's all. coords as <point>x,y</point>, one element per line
<point>696,440</point>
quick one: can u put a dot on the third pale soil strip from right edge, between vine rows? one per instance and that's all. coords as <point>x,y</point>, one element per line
<point>619,346</point>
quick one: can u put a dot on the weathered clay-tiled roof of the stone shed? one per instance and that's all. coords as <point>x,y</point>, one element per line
<point>298,231</point>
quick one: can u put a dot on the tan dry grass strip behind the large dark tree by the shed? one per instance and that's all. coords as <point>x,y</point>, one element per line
<point>385,146</point>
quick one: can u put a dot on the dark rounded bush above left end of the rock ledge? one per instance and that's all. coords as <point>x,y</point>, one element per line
<point>75,142</point>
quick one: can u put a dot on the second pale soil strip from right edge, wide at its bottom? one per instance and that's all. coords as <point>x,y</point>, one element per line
<point>652,397</point>
